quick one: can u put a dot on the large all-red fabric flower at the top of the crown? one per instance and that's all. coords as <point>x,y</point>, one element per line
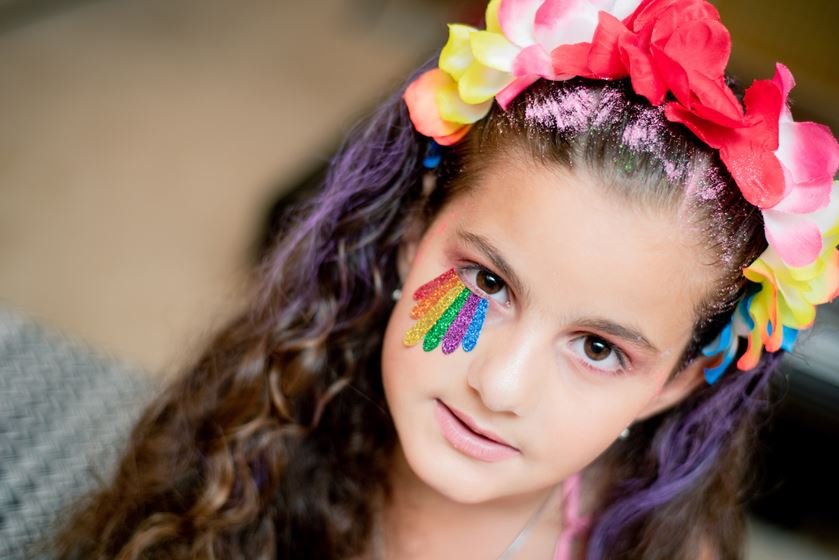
<point>664,45</point>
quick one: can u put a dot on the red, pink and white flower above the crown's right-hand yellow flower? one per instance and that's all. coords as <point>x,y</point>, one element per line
<point>783,167</point>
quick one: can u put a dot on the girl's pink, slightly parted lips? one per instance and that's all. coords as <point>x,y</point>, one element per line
<point>464,435</point>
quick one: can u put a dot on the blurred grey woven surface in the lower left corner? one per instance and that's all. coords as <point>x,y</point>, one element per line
<point>64,414</point>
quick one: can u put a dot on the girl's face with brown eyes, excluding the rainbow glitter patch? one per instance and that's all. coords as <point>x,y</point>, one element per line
<point>591,302</point>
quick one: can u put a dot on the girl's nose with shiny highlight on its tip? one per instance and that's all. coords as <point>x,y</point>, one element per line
<point>506,371</point>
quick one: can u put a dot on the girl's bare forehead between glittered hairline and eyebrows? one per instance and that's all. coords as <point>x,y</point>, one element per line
<point>581,250</point>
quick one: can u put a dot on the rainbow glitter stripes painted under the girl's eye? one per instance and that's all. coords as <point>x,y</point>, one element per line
<point>446,311</point>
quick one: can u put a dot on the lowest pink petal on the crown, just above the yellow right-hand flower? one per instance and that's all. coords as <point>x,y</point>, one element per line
<point>795,238</point>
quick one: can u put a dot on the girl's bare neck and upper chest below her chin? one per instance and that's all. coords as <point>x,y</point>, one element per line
<point>420,522</point>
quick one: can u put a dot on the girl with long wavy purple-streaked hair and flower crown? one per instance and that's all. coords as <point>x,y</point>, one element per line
<point>532,314</point>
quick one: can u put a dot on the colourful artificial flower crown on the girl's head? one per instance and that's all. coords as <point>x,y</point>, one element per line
<point>677,47</point>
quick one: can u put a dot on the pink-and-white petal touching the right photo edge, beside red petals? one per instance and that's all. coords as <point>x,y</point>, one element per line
<point>809,151</point>
